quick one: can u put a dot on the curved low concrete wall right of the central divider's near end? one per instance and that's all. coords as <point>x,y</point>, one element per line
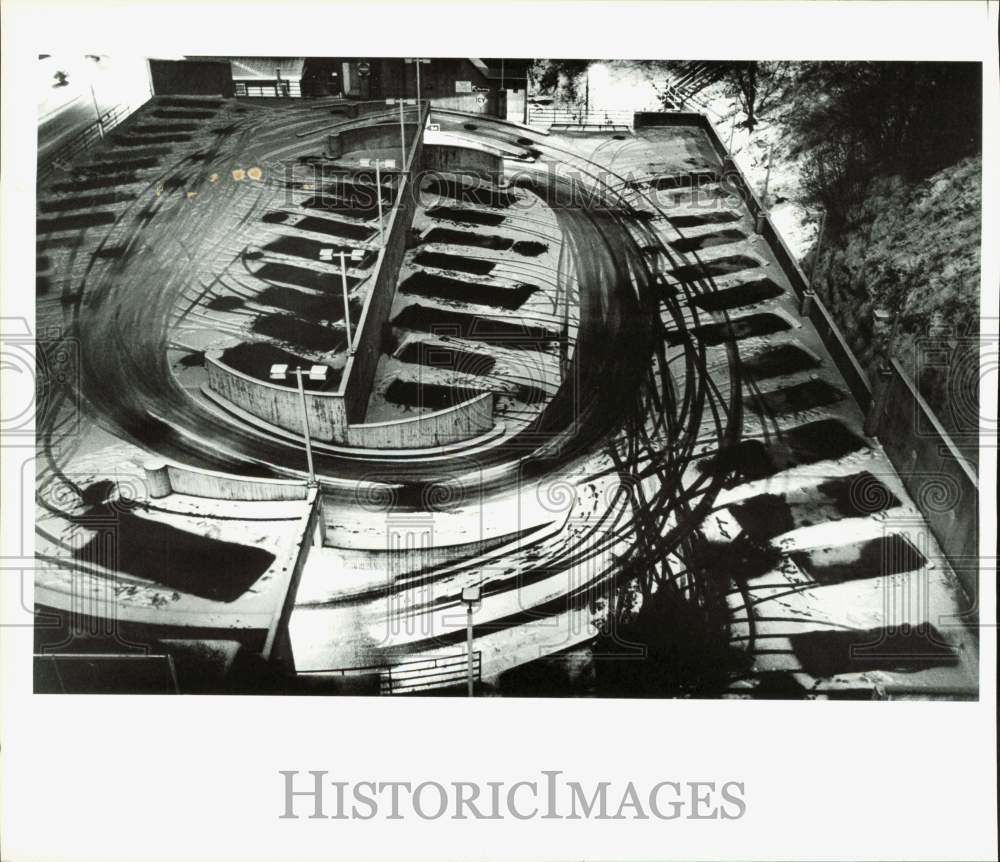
<point>441,428</point>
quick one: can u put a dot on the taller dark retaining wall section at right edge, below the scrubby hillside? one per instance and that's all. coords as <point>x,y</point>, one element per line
<point>941,482</point>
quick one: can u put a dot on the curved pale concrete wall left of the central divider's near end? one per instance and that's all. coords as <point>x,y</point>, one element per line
<point>279,405</point>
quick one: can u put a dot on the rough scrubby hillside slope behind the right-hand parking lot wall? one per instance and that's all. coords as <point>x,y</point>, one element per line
<point>913,250</point>
